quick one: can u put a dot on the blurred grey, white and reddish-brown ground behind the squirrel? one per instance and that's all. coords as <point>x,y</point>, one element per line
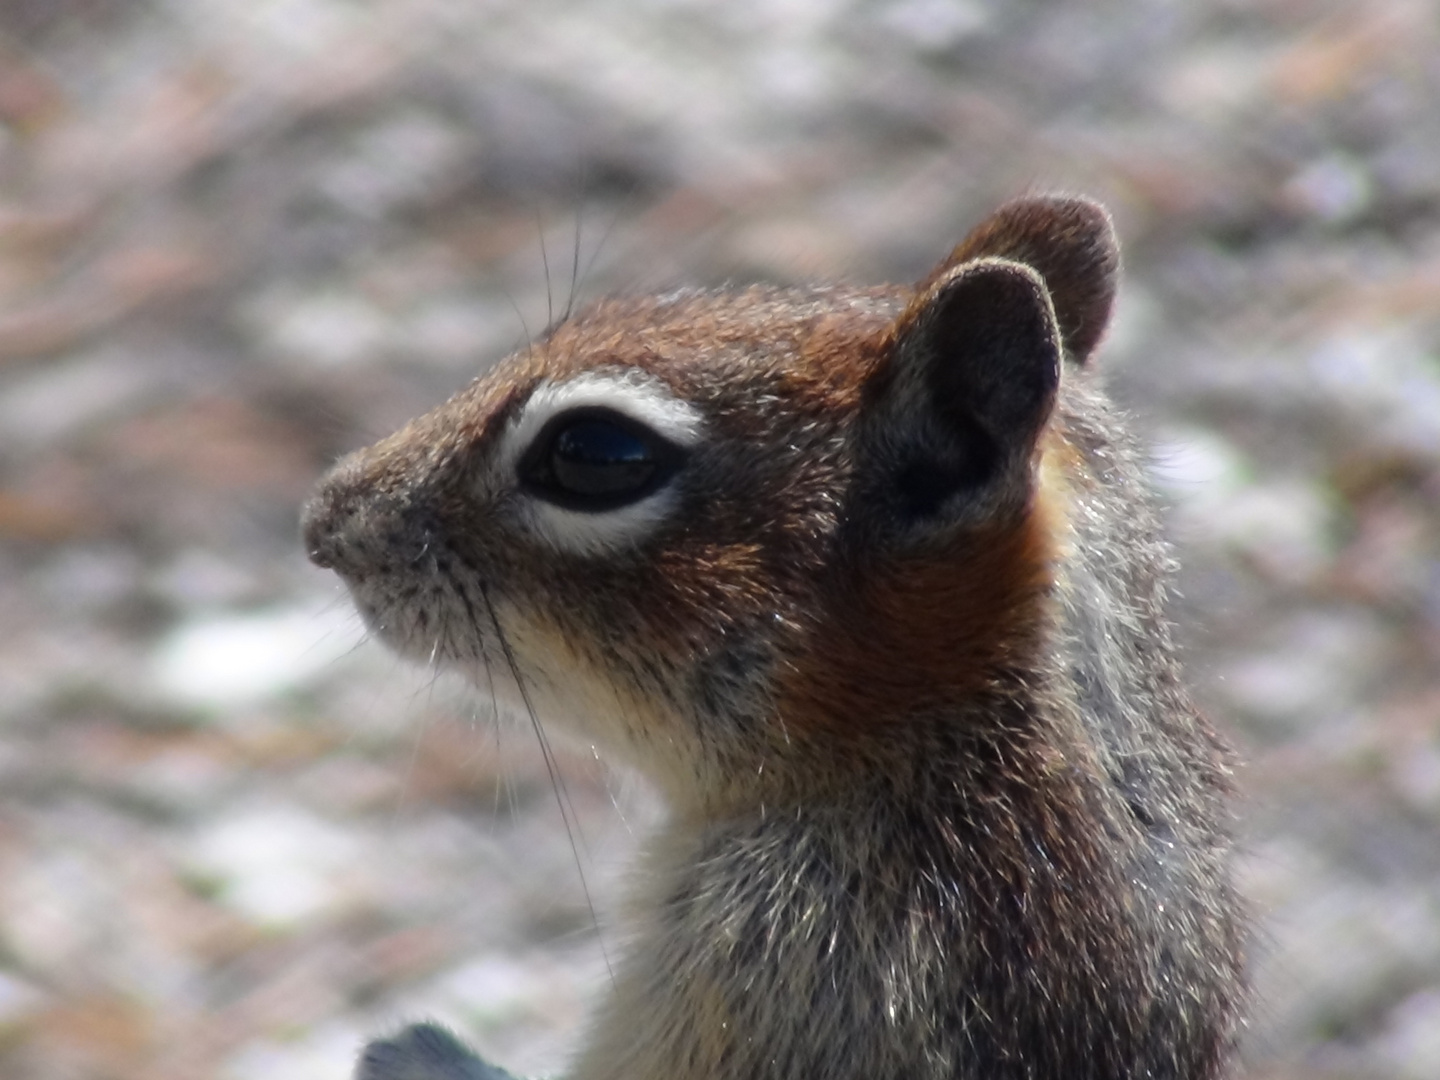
<point>243,237</point>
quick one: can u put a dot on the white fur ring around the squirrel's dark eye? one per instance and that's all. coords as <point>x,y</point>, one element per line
<point>631,394</point>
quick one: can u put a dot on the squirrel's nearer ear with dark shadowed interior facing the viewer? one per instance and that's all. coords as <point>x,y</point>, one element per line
<point>971,382</point>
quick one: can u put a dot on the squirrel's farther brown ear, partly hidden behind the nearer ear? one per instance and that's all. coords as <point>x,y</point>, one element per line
<point>1071,243</point>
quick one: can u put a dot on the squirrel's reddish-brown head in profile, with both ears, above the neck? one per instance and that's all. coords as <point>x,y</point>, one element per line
<point>737,539</point>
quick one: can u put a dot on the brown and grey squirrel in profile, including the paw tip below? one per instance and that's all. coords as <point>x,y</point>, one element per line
<point>866,581</point>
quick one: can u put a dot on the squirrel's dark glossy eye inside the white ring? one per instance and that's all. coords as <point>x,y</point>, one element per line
<point>597,460</point>
